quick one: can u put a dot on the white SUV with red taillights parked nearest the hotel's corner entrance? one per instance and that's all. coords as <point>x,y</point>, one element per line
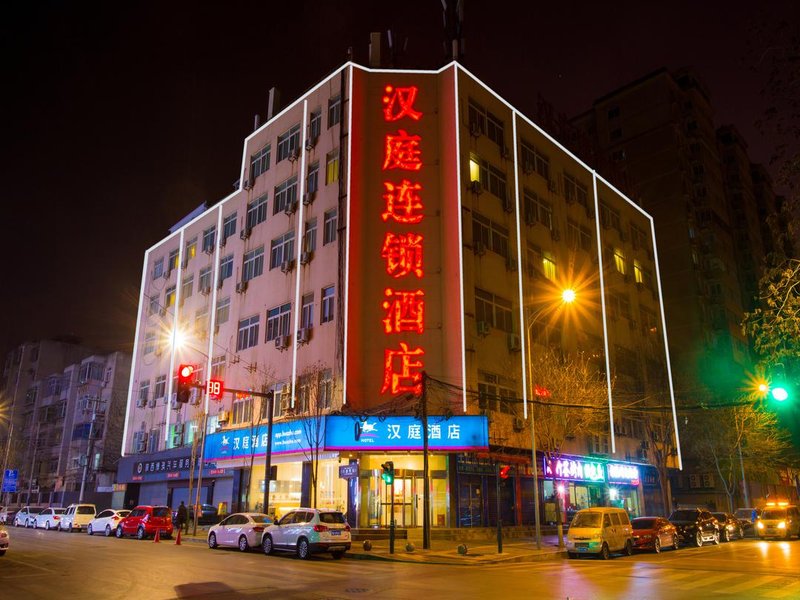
<point>305,531</point>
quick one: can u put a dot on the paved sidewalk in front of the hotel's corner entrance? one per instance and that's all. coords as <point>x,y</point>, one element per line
<point>442,552</point>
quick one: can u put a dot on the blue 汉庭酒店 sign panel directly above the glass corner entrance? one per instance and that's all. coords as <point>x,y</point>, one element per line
<point>469,433</point>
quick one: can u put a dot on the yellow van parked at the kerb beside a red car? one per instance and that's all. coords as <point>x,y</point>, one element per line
<point>600,531</point>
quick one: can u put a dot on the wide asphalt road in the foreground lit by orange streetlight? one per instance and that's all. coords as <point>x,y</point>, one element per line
<point>63,566</point>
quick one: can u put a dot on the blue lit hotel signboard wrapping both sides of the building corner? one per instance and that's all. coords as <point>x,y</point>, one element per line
<point>372,434</point>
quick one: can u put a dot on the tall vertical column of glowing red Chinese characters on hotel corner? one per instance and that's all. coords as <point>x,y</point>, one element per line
<point>402,251</point>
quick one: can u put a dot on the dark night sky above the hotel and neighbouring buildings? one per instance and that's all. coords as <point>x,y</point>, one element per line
<point>120,118</point>
